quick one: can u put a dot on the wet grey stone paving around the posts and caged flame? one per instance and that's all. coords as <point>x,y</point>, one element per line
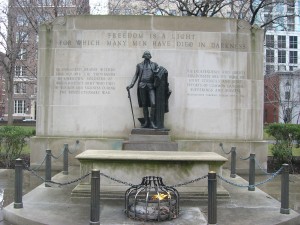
<point>53,205</point>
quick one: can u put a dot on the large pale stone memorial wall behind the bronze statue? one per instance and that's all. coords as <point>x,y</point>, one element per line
<point>214,67</point>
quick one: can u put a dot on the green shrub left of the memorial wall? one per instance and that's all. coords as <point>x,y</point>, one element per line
<point>12,141</point>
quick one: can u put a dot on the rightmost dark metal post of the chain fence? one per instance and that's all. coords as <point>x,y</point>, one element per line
<point>285,190</point>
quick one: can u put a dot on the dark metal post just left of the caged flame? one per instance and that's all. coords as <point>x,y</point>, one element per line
<point>95,198</point>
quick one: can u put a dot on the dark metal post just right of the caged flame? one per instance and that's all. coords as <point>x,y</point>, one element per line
<point>212,197</point>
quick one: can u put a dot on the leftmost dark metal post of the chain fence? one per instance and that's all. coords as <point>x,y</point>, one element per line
<point>18,204</point>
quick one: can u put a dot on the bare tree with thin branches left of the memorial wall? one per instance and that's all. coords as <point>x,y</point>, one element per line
<point>19,23</point>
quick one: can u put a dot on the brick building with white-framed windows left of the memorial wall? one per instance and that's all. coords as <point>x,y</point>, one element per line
<point>24,18</point>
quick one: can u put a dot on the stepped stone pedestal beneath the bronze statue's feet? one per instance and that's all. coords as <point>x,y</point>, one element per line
<point>144,139</point>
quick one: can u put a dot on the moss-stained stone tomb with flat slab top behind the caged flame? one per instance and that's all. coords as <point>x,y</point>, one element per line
<point>130,166</point>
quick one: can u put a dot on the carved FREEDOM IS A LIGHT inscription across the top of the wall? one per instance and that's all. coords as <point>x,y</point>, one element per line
<point>185,40</point>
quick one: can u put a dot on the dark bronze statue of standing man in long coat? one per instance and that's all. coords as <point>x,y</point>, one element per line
<point>153,91</point>
